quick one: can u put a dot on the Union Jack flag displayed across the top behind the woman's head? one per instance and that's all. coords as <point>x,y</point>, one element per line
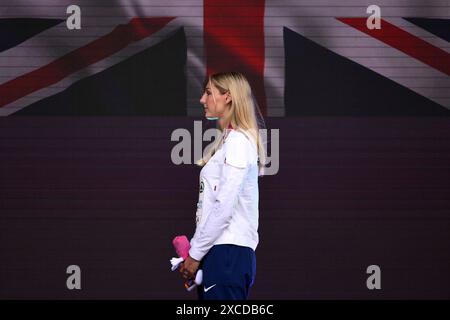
<point>150,57</point>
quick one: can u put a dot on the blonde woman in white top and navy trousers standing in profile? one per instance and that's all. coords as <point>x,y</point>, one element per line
<point>226,234</point>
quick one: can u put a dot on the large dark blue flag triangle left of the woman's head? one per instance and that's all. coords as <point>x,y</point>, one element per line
<point>152,82</point>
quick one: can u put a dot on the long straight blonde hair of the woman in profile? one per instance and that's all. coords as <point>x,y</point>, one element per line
<point>242,115</point>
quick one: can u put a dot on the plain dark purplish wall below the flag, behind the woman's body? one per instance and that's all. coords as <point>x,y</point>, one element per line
<point>102,193</point>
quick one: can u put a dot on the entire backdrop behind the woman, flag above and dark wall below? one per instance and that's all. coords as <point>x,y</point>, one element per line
<point>361,182</point>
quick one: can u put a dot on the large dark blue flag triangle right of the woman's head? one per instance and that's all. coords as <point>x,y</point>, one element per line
<point>320,82</point>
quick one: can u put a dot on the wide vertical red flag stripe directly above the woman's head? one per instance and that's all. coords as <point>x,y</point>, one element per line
<point>234,40</point>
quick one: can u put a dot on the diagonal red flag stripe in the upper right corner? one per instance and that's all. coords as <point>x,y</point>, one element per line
<point>405,42</point>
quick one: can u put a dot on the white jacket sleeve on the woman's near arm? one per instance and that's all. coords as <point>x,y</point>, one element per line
<point>231,181</point>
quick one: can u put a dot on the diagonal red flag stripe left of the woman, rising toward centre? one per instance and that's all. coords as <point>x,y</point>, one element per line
<point>123,35</point>
